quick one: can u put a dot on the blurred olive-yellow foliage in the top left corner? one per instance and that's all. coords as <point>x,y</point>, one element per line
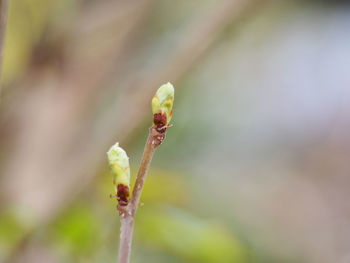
<point>28,21</point>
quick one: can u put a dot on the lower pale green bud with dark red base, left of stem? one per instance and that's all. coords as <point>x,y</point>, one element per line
<point>119,164</point>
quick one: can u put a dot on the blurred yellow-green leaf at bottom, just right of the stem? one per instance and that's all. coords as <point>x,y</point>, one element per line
<point>189,237</point>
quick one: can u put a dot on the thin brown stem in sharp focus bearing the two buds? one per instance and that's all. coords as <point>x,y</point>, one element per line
<point>127,213</point>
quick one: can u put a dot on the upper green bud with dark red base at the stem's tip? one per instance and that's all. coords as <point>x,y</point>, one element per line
<point>162,106</point>
